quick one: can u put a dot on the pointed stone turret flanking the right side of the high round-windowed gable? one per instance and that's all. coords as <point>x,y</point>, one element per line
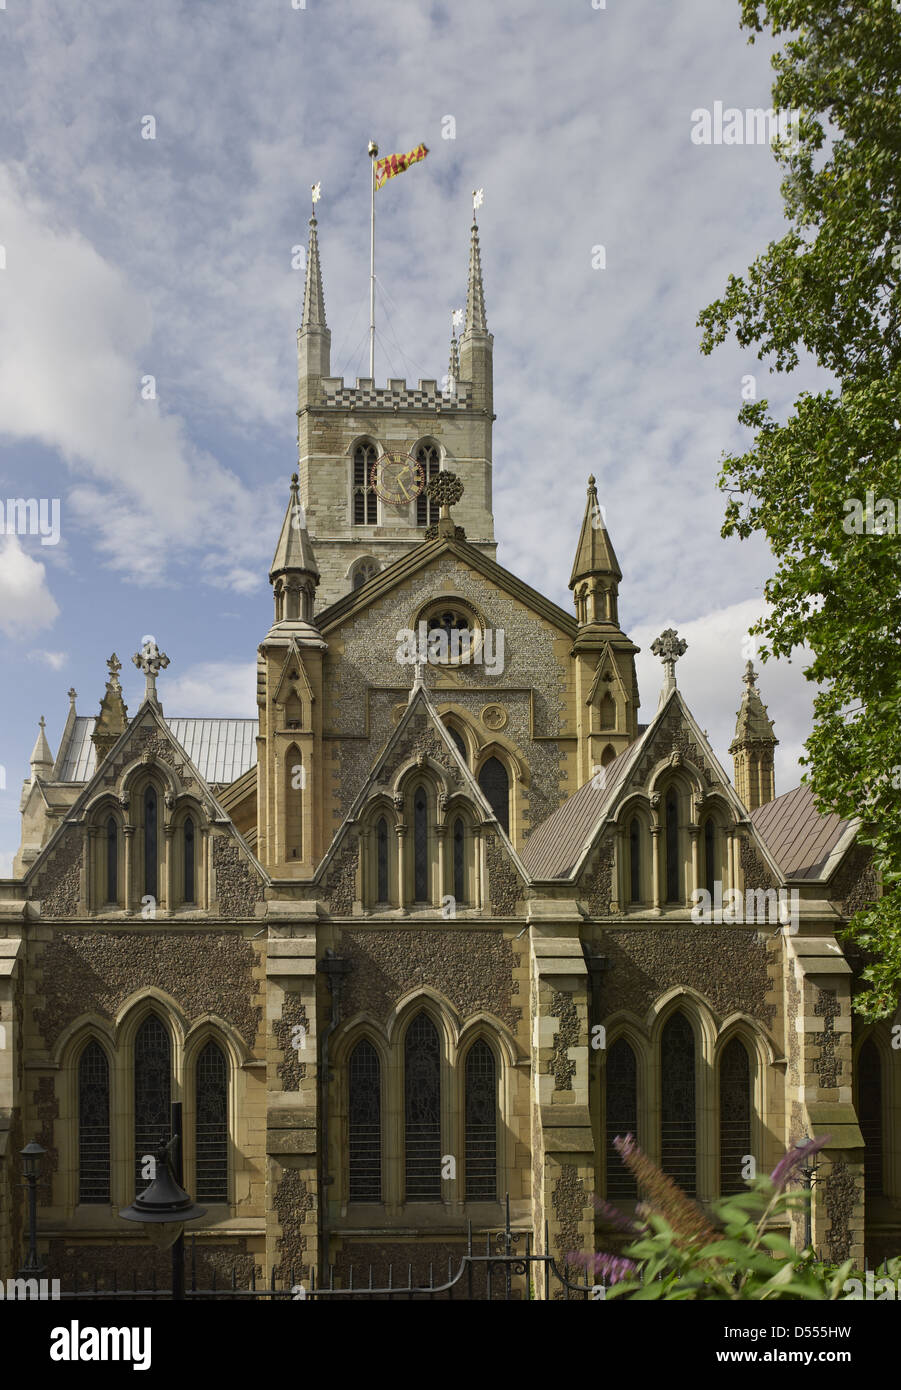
<point>607,687</point>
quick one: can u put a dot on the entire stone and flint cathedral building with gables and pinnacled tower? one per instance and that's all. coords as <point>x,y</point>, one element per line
<point>418,933</point>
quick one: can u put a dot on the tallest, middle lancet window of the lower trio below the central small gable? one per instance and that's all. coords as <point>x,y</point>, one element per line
<point>422,1111</point>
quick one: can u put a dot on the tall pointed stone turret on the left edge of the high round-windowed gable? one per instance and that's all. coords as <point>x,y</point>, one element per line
<point>290,700</point>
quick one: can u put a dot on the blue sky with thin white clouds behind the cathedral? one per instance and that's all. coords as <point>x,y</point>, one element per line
<point>149,305</point>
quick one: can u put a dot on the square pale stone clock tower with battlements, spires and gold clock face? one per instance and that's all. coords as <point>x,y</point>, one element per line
<point>344,432</point>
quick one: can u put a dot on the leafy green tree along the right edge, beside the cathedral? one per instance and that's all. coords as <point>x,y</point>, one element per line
<point>825,486</point>
